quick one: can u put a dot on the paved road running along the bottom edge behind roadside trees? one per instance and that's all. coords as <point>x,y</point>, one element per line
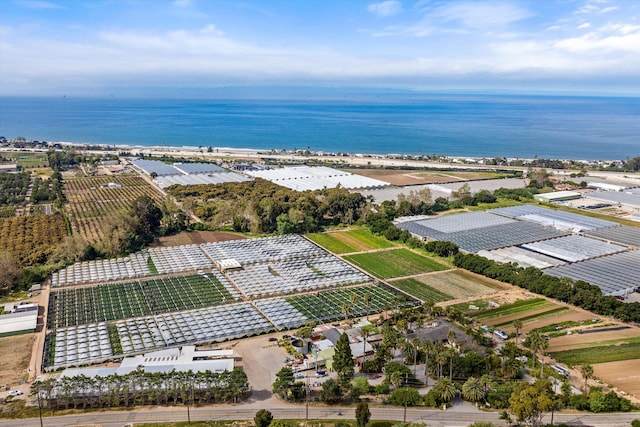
<point>433,418</point>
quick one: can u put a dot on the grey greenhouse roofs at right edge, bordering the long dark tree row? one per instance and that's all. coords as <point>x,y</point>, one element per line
<point>616,274</point>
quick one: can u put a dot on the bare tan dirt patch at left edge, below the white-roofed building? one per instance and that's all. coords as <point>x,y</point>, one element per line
<point>16,354</point>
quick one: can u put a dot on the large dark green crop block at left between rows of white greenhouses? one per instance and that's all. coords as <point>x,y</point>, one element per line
<point>79,306</point>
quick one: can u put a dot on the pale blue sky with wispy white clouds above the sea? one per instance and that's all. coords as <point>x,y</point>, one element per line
<point>94,47</point>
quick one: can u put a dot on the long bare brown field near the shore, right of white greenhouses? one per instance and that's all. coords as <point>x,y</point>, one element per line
<point>412,177</point>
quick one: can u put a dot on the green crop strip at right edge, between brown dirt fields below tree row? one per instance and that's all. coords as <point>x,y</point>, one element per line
<point>628,350</point>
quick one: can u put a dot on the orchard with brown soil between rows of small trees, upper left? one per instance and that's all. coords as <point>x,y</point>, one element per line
<point>89,204</point>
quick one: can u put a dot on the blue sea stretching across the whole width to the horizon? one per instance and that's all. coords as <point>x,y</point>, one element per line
<point>459,125</point>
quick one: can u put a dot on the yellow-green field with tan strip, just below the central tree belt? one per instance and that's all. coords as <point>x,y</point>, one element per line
<point>343,242</point>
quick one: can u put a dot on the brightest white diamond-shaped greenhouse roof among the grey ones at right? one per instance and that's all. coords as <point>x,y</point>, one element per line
<point>574,248</point>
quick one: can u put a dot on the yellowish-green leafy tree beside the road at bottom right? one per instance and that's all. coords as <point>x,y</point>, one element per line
<point>529,402</point>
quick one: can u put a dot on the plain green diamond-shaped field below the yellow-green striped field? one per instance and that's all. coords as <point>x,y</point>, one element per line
<point>394,263</point>
